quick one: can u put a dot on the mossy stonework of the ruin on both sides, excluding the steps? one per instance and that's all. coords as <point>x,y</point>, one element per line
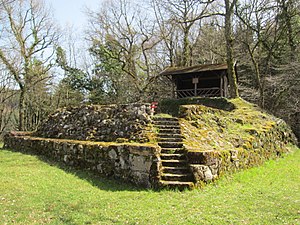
<point>216,141</point>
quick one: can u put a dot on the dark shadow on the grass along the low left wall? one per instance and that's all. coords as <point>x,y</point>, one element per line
<point>96,180</point>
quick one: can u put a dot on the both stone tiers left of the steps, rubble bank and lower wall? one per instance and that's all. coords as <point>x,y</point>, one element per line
<point>111,140</point>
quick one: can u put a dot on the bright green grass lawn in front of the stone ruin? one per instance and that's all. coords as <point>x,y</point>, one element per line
<point>34,191</point>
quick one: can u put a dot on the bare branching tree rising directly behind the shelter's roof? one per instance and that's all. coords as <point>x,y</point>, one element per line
<point>183,16</point>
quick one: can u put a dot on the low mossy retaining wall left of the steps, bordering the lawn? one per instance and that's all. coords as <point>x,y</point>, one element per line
<point>135,163</point>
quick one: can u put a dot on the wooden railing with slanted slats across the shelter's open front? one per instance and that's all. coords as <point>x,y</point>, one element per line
<point>203,92</point>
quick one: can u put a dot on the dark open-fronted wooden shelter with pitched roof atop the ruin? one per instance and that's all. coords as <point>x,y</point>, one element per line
<point>208,80</point>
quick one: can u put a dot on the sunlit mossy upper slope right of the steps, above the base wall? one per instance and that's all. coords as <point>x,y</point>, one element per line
<point>244,127</point>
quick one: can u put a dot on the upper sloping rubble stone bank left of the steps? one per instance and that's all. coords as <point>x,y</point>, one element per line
<point>98,123</point>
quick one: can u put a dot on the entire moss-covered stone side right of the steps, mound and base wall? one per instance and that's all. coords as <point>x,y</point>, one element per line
<point>220,141</point>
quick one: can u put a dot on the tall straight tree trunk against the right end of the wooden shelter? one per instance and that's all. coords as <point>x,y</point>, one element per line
<point>229,50</point>
